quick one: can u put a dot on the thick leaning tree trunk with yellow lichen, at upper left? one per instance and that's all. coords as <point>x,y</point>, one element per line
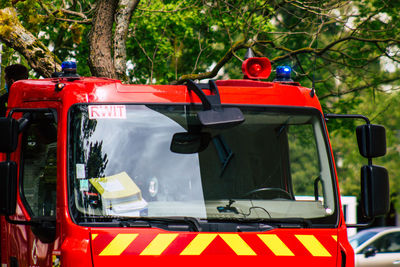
<point>14,35</point>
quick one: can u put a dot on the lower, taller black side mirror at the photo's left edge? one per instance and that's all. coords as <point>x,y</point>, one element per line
<point>8,188</point>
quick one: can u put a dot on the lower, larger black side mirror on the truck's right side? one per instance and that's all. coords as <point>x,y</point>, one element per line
<point>374,191</point>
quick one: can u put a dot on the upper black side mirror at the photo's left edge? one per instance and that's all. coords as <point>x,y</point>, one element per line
<point>9,129</point>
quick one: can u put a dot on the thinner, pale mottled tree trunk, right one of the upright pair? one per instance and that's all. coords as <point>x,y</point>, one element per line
<point>122,20</point>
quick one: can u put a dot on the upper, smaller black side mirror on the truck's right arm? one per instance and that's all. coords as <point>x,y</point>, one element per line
<point>371,140</point>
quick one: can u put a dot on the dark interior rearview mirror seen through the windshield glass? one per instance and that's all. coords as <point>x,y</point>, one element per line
<point>189,143</point>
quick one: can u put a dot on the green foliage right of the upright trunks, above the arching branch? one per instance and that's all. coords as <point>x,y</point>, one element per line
<point>172,38</point>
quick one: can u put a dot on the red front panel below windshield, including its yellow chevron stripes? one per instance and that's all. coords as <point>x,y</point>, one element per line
<point>149,247</point>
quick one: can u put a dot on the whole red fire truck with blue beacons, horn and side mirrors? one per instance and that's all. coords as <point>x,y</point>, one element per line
<point>229,172</point>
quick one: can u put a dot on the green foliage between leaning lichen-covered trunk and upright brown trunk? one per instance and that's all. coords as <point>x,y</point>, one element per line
<point>64,34</point>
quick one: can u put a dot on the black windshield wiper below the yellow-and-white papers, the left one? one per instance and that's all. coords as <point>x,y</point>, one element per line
<point>168,223</point>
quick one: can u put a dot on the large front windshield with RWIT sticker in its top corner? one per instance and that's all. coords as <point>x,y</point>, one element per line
<point>130,161</point>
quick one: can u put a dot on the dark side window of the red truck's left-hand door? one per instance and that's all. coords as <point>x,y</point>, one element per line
<point>39,164</point>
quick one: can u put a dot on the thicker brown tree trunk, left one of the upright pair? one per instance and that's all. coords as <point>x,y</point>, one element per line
<point>100,40</point>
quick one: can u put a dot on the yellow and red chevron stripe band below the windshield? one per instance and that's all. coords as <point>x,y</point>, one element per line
<point>195,244</point>
